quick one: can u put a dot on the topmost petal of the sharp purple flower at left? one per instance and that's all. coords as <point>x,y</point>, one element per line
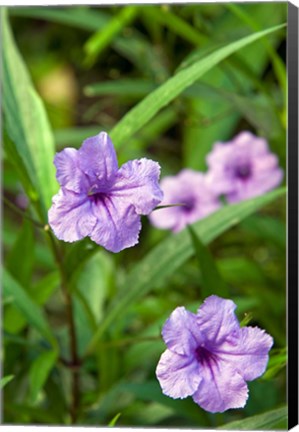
<point>98,160</point>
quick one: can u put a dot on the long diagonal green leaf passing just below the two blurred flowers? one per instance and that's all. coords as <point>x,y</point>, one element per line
<point>169,255</point>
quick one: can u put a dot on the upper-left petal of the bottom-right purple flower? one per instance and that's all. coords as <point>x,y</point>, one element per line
<point>181,333</point>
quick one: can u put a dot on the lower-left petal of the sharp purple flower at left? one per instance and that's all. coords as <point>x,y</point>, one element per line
<point>70,216</point>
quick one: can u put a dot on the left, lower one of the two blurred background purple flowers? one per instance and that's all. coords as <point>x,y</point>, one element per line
<point>189,188</point>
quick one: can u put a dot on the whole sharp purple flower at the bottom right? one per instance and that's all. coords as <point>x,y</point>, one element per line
<point>210,357</point>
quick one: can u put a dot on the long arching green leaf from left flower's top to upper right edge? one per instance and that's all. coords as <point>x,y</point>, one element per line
<point>149,106</point>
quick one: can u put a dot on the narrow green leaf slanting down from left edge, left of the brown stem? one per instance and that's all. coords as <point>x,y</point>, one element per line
<point>26,305</point>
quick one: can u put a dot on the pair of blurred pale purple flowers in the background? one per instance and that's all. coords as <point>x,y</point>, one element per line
<point>238,170</point>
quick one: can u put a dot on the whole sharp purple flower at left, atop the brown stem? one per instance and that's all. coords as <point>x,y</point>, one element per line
<point>99,200</point>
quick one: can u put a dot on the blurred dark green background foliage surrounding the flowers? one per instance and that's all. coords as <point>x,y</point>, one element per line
<point>90,66</point>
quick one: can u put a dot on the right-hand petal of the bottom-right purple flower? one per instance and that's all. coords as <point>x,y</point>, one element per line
<point>249,355</point>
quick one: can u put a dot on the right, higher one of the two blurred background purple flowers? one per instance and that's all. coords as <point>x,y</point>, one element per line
<point>243,168</point>
